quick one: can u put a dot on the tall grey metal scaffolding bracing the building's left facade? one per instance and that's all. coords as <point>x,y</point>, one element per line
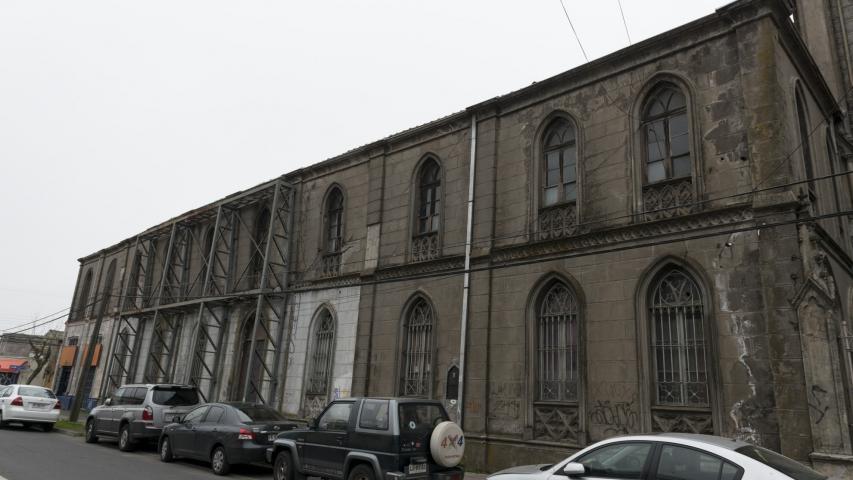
<point>208,293</point>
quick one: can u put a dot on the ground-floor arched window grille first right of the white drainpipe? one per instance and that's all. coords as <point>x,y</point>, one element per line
<point>557,345</point>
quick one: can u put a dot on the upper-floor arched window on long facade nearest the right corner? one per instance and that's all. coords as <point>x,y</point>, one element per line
<point>666,135</point>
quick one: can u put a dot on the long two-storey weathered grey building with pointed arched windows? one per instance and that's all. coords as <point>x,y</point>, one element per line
<point>657,240</point>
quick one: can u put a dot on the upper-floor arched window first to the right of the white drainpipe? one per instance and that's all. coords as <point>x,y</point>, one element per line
<point>560,172</point>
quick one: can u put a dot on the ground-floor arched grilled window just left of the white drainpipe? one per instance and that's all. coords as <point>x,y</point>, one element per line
<point>417,350</point>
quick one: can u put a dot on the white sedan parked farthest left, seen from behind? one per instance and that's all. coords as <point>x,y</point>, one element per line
<point>29,405</point>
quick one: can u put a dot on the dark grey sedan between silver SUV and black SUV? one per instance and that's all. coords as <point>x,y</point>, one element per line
<point>224,434</point>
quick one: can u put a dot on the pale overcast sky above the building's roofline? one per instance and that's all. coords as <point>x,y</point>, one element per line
<point>117,115</point>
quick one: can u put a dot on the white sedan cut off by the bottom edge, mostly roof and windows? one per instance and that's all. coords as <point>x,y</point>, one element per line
<point>672,456</point>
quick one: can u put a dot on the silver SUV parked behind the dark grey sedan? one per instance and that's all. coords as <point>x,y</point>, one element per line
<point>138,413</point>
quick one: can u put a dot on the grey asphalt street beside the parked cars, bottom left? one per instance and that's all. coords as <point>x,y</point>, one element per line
<point>27,454</point>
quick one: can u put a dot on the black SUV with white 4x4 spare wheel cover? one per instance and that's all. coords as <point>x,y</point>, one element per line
<point>372,439</point>
